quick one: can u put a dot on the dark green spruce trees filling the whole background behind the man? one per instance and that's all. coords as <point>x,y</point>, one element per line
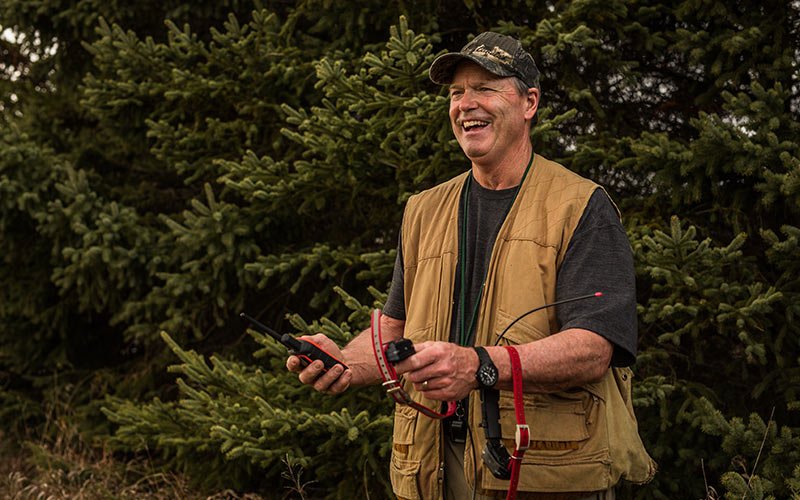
<point>164,166</point>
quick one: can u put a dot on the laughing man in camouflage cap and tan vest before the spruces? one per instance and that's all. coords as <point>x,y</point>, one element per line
<point>477,252</point>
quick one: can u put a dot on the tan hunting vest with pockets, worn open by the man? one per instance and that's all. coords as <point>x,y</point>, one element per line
<point>581,440</point>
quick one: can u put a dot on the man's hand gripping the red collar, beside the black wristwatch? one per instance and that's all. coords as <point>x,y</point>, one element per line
<point>442,371</point>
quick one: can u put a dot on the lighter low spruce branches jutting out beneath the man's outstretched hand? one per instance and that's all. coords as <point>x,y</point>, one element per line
<point>231,418</point>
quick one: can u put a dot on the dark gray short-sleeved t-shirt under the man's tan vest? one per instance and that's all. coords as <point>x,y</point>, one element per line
<point>599,258</point>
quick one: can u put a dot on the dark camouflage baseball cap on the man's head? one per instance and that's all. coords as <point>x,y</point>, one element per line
<point>498,54</point>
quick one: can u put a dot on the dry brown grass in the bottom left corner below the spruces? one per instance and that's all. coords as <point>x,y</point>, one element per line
<point>56,462</point>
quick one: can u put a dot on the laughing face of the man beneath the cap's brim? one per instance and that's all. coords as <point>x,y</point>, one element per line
<point>488,114</point>
